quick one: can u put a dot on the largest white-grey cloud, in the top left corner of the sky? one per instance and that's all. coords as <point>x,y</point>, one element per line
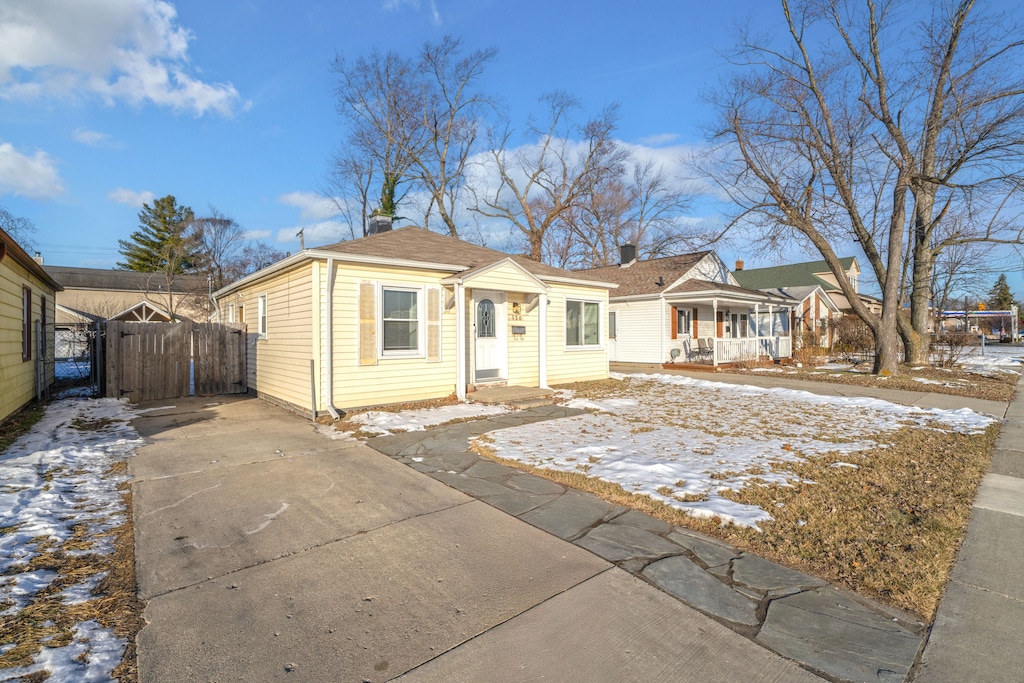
<point>129,51</point>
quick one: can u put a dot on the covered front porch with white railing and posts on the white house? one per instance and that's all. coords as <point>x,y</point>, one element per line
<point>716,325</point>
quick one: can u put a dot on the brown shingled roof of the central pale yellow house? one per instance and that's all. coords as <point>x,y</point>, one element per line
<point>416,244</point>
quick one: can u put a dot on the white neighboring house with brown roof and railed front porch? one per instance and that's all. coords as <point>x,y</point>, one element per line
<point>671,304</point>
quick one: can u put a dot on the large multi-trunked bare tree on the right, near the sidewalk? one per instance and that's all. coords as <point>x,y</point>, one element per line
<point>861,126</point>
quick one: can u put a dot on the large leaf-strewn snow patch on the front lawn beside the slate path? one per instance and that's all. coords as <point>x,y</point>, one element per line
<point>676,439</point>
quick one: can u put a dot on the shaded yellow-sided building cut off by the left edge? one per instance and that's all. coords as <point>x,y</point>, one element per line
<point>27,301</point>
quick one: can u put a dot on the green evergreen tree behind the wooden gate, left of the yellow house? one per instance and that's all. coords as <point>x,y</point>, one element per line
<point>160,244</point>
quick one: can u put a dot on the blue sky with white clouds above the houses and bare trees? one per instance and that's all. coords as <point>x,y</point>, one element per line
<point>107,104</point>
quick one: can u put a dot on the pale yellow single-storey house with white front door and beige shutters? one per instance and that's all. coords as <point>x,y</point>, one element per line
<point>409,315</point>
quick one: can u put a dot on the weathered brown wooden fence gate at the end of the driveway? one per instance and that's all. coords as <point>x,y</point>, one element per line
<point>156,361</point>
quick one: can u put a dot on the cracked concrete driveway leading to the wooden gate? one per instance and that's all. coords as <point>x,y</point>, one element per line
<point>269,552</point>
